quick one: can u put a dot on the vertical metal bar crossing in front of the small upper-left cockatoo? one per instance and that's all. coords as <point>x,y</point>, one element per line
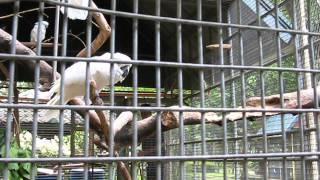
<point>36,86</point>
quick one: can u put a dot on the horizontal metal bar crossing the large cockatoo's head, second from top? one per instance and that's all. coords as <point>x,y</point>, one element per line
<point>158,63</point>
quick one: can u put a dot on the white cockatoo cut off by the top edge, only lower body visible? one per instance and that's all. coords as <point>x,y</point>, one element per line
<point>76,13</point>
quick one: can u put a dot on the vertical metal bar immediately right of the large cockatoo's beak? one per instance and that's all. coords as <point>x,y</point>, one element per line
<point>135,90</point>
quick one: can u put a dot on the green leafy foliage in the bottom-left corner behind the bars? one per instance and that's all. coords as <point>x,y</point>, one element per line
<point>16,170</point>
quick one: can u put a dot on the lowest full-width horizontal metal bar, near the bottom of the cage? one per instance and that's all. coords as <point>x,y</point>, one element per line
<point>157,158</point>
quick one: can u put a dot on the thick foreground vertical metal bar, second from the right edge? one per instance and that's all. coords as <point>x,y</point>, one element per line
<point>299,86</point>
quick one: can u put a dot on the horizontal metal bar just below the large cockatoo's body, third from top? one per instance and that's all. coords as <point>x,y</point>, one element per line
<point>152,109</point>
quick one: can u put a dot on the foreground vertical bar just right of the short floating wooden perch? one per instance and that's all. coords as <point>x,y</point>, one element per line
<point>243,92</point>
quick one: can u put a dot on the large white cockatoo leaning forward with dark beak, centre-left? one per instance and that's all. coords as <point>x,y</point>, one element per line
<point>75,75</point>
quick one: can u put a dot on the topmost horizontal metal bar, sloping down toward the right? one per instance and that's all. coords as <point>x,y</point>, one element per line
<point>176,20</point>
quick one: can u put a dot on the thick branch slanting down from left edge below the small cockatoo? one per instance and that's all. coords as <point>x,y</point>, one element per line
<point>45,68</point>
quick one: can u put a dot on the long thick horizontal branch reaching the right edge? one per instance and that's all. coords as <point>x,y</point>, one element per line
<point>170,119</point>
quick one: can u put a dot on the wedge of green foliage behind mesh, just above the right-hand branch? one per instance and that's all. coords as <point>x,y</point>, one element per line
<point>252,86</point>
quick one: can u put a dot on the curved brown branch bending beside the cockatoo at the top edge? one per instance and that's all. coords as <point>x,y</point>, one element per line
<point>104,33</point>
